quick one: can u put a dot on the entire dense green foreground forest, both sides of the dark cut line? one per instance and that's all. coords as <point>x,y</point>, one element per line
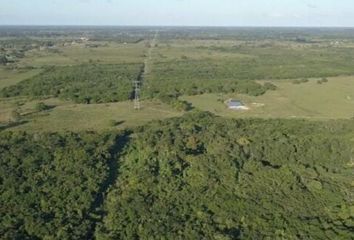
<point>194,177</point>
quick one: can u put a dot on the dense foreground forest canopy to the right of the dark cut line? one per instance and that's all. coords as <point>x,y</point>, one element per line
<point>202,177</point>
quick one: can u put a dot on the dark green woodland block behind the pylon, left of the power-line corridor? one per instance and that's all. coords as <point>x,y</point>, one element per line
<point>81,84</point>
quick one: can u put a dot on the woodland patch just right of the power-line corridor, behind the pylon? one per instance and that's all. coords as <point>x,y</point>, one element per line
<point>192,78</point>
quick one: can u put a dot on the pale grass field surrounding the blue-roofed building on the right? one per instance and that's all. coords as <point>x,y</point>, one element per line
<point>332,100</point>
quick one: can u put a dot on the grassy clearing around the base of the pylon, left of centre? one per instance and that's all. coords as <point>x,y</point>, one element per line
<point>77,117</point>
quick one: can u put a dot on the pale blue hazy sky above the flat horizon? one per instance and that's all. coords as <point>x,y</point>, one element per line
<point>179,12</point>
